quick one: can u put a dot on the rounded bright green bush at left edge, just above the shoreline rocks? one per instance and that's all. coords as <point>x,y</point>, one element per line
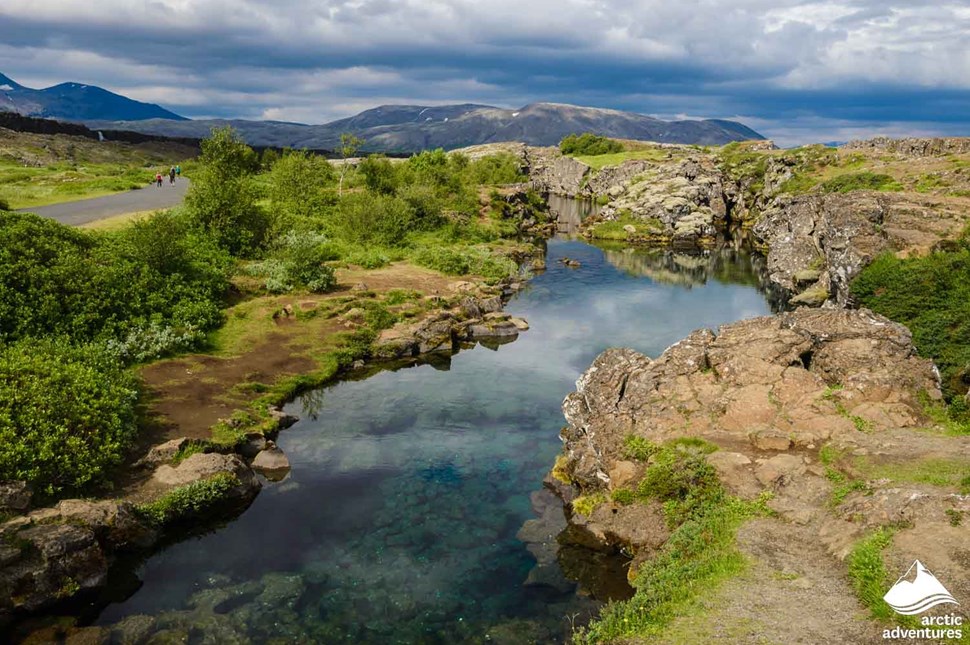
<point>67,414</point>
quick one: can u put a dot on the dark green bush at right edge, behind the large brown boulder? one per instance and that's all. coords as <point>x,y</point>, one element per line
<point>931,296</point>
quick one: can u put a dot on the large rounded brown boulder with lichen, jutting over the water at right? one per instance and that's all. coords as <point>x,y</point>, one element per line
<point>773,382</point>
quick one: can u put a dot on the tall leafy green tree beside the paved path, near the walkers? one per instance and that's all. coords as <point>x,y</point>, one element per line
<point>222,198</point>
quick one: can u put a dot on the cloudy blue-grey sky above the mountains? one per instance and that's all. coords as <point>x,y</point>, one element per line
<point>795,70</point>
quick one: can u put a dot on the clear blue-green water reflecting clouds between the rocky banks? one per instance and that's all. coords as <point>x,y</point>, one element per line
<point>398,522</point>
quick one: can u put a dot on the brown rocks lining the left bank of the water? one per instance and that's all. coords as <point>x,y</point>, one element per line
<point>56,555</point>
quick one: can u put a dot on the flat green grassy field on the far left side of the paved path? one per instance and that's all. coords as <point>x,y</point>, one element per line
<point>37,170</point>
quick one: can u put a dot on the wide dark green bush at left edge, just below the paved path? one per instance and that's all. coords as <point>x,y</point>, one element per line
<point>158,284</point>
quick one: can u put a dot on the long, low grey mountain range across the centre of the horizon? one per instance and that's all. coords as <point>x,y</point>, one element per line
<point>409,128</point>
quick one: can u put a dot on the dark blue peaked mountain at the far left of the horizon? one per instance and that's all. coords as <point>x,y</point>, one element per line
<point>76,102</point>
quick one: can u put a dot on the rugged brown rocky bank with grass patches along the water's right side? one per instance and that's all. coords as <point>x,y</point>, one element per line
<point>821,414</point>
